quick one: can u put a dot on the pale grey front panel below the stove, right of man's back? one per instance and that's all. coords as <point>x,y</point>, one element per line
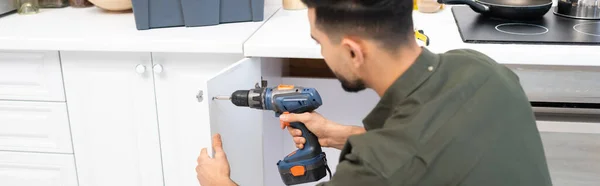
<point>573,152</point>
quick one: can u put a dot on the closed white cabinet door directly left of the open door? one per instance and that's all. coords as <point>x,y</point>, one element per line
<point>183,120</point>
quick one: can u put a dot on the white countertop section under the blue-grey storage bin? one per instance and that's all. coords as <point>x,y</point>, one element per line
<point>92,29</point>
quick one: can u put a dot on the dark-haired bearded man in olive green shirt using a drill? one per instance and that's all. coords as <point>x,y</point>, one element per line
<point>456,118</point>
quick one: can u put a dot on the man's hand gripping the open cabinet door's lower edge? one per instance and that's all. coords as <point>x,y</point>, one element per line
<point>214,171</point>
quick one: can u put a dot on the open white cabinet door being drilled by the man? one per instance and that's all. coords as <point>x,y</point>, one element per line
<point>241,128</point>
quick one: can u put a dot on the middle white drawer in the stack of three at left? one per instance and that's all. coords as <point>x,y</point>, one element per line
<point>34,126</point>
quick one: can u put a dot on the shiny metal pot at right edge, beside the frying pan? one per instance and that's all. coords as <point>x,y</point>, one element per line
<point>578,9</point>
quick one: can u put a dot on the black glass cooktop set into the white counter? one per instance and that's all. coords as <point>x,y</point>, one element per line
<point>552,29</point>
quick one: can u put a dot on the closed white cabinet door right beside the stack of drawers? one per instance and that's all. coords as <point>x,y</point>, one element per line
<point>112,110</point>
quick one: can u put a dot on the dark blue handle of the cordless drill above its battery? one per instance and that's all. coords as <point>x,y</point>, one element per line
<point>311,148</point>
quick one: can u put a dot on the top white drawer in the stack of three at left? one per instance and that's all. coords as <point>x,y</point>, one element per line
<point>30,76</point>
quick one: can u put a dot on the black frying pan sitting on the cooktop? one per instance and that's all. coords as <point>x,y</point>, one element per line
<point>507,9</point>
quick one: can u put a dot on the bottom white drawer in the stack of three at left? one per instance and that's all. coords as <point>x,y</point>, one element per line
<point>29,169</point>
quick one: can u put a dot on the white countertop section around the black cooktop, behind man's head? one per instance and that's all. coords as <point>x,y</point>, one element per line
<point>287,35</point>
